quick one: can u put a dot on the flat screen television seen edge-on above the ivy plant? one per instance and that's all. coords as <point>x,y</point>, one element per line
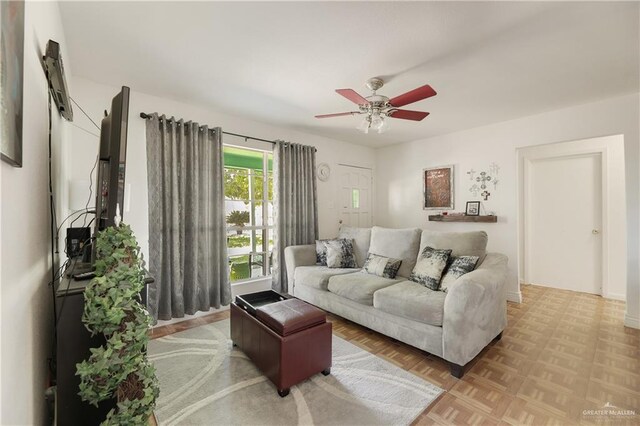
<point>112,162</point>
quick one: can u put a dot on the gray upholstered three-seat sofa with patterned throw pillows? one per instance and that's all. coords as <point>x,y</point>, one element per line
<point>455,325</point>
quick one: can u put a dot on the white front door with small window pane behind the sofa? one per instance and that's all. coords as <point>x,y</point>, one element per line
<point>355,196</point>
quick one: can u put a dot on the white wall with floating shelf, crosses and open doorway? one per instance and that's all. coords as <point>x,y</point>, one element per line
<point>399,168</point>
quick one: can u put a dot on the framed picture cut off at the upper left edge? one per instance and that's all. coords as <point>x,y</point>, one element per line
<point>11,80</point>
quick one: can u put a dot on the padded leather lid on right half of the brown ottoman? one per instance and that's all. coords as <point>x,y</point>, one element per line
<point>290,316</point>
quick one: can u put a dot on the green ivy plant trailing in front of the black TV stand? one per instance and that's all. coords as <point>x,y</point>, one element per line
<point>120,368</point>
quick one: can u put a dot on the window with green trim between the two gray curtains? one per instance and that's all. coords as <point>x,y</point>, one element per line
<point>249,211</point>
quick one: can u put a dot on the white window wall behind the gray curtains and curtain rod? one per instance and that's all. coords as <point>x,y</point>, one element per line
<point>95,98</point>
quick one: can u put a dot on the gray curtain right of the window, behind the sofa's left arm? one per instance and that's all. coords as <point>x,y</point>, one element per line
<point>296,209</point>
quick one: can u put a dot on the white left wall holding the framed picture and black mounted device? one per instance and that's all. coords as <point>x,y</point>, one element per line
<point>26,304</point>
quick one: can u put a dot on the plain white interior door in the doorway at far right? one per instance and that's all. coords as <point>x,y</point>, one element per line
<point>564,223</point>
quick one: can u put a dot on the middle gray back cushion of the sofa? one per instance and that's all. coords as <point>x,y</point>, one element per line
<point>397,243</point>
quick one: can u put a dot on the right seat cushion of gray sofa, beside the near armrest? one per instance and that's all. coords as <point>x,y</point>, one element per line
<point>413,301</point>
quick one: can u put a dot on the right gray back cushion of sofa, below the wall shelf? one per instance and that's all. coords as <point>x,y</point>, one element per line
<point>472,243</point>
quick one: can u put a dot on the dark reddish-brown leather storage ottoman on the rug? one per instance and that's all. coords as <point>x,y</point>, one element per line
<point>289,341</point>
